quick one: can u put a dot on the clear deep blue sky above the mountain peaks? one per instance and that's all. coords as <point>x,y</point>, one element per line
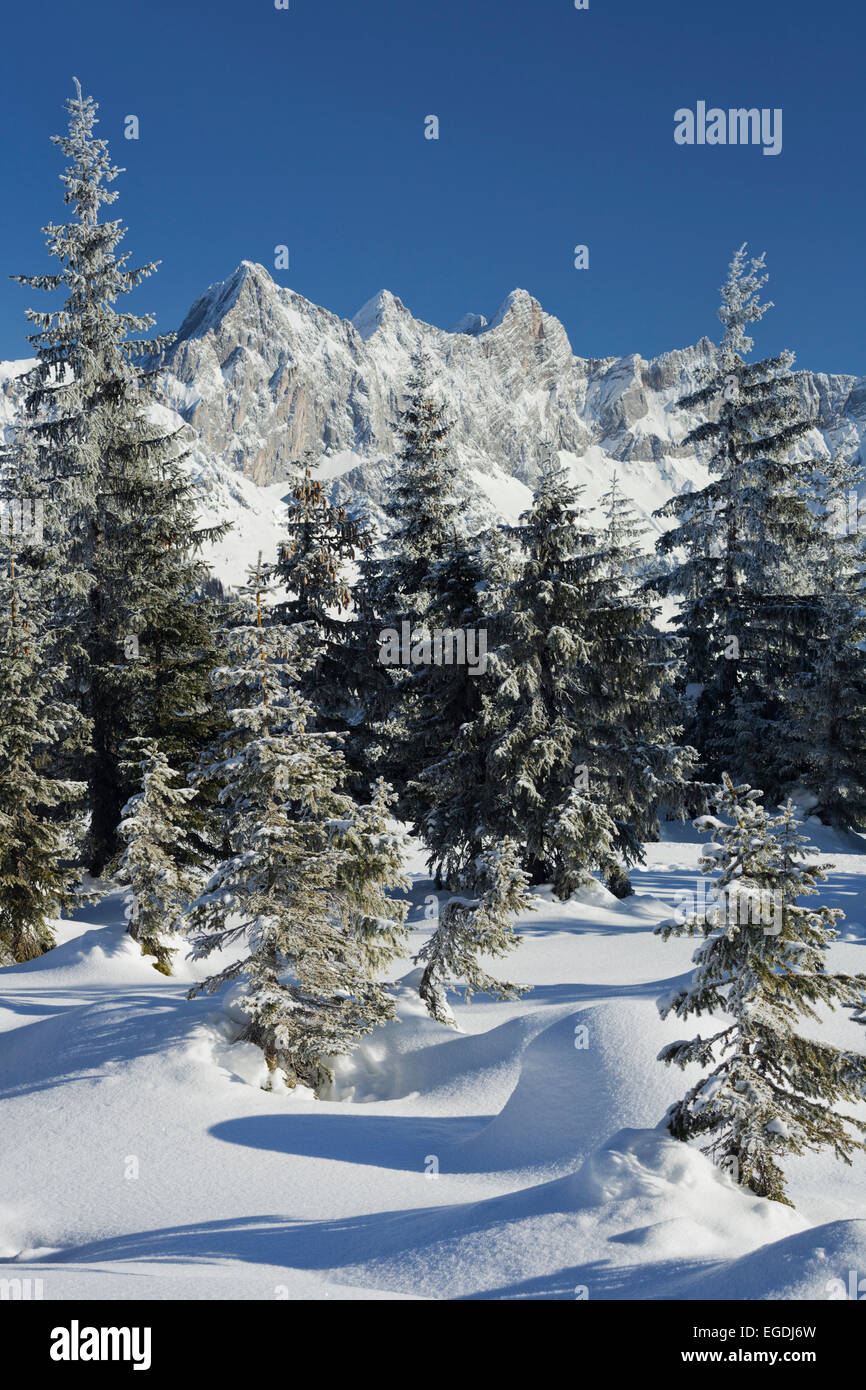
<point>307,127</point>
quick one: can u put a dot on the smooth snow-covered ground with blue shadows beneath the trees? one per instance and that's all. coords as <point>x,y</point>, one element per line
<point>519,1159</point>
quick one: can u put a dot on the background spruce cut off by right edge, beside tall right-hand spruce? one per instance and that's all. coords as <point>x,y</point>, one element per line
<point>826,700</point>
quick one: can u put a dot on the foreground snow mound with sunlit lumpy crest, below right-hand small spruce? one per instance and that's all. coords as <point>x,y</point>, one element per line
<point>644,1218</point>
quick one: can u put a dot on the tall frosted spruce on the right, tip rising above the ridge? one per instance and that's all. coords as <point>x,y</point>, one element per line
<point>733,543</point>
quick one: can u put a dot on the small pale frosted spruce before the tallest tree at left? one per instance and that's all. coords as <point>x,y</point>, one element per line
<point>159,865</point>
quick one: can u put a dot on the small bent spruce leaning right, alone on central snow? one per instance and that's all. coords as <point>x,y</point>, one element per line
<point>480,924</point>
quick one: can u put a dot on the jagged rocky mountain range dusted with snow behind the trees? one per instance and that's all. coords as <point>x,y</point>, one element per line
<point>263,376</point>
